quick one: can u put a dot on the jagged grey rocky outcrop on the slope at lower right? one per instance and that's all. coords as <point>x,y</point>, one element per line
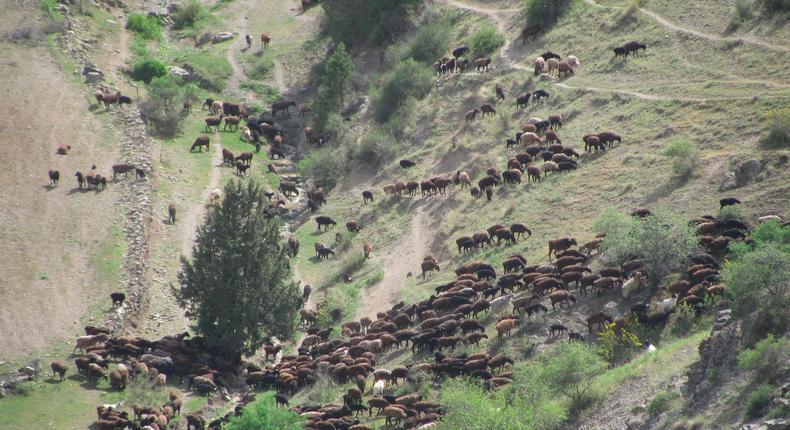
<point>719,351</point>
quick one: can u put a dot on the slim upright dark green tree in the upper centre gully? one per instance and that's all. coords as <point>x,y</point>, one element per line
<point>335,83</point>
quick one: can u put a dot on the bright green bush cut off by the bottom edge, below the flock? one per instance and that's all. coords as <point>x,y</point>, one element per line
<point>264,414</point>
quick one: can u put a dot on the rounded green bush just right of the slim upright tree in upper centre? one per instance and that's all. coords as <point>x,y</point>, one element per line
<point>408,78</point>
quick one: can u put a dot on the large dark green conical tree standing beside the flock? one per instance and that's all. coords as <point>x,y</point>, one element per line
<point>238,285</point>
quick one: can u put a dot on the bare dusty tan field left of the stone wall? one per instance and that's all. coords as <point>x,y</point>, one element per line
<point>49,236</point>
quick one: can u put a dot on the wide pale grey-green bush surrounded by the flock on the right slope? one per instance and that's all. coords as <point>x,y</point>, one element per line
<point>662,240</point>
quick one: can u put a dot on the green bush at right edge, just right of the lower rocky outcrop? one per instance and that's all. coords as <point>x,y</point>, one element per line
<point>767,359</point>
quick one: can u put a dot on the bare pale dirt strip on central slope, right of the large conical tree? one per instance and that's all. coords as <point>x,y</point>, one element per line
<point>404,255</point>
